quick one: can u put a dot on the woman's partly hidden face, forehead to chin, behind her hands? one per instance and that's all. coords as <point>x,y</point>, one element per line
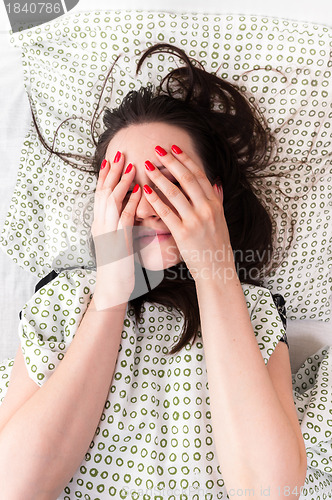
<point>137,143</point>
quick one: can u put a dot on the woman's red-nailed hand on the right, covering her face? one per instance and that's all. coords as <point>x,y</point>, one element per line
<point>201,232</point>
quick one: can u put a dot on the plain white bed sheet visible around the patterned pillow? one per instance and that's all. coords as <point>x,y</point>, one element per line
<point>17,285</point>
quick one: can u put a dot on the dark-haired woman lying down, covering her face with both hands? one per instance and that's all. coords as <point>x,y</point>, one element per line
<point>184,390</point>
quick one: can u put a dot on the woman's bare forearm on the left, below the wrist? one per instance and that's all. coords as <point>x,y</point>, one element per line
<point>45,441</point>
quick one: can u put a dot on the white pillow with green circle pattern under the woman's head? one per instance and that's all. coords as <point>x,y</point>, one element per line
<point>283,64</point>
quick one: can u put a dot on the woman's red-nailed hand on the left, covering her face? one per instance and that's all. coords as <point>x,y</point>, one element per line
<point>112,235</point>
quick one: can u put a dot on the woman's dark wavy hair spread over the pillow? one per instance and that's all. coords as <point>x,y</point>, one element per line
<point>235,145</point>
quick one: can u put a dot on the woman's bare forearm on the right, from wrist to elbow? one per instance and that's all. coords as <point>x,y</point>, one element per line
<point>257,444</point>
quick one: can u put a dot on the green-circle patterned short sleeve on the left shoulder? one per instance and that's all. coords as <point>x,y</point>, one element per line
<point>50,319</point>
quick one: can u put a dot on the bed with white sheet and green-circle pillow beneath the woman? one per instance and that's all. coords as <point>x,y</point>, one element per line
<point>292,87</point>
